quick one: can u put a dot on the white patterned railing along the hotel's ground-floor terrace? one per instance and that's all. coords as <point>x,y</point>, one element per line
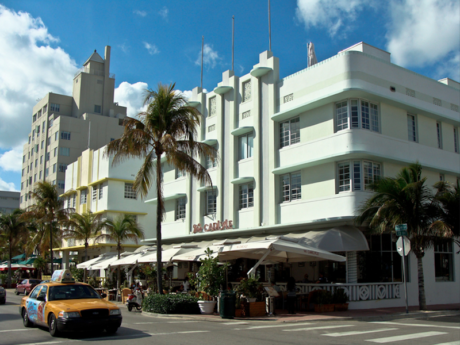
<point>355,292</point>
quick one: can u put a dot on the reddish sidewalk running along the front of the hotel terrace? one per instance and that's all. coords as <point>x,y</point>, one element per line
<point>380,314</point>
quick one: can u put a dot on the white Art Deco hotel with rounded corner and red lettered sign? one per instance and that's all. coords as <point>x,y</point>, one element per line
<point>297,154</point>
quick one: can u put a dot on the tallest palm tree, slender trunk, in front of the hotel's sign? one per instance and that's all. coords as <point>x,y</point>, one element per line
<point>168,127</point>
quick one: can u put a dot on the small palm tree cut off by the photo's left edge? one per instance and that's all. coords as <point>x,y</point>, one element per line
<point>12,228</point>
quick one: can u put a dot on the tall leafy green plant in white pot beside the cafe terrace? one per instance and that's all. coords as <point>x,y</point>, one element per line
<point>209,279</point>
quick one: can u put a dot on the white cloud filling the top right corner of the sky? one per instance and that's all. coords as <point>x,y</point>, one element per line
<point>423,32</point>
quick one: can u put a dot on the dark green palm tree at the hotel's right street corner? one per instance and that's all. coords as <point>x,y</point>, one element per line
<point>406,200</point>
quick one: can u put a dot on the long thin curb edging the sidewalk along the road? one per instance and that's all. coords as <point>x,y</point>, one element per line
<point>416,315</point>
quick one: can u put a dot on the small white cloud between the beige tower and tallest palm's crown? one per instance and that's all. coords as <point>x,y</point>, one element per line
<point>131,96</point>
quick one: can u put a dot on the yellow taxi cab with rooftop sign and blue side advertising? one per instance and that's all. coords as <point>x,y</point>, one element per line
<point>64,305</point>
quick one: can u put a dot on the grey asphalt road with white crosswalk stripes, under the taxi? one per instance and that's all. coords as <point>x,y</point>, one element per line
<point>140,329</point>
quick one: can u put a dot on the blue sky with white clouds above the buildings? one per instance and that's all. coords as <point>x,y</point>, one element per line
<point>43,43</point>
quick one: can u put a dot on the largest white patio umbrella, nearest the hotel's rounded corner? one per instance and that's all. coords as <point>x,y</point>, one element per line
<point>277,249</point>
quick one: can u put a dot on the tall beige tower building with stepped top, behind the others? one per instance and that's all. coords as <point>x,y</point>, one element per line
<point>62,127</point>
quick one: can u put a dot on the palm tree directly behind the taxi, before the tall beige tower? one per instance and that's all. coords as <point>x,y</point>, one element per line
<point>48,211</point>
